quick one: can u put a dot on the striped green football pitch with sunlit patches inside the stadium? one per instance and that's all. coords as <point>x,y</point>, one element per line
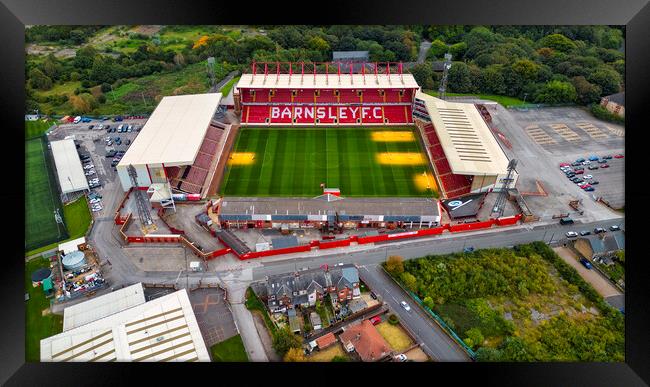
<point>361,162</point>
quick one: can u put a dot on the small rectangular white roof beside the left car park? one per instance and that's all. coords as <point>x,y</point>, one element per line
<point>68,166</point>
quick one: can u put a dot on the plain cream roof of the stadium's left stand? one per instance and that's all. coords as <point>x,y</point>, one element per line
<point>174,132</point>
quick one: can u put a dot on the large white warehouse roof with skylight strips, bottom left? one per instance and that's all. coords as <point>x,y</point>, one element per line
<point>163,329</point>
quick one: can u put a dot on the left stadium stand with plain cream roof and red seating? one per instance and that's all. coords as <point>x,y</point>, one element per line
<point>178,148</point>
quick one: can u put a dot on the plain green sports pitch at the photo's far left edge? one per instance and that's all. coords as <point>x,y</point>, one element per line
<point>41,198</point>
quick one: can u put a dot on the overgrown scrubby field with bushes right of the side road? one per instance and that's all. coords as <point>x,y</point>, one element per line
<point>522,304</point>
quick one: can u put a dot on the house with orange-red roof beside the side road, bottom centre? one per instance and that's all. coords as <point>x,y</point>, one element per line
<point>365,340</point>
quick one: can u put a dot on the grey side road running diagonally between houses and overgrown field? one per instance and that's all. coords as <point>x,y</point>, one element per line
<point>435,341</point>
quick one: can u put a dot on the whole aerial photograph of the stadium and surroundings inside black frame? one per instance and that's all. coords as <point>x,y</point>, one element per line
<point>324,193</point>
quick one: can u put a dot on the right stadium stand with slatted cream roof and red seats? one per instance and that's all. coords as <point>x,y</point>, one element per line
<point>463,151</point>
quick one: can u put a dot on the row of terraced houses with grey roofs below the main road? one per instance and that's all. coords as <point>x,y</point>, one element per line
<point>286,291</point>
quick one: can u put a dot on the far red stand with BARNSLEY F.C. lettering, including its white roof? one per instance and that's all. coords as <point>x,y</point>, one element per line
<point>305,96</point>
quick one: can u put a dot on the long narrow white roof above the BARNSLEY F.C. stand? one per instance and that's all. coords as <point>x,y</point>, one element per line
<point>327,81</point>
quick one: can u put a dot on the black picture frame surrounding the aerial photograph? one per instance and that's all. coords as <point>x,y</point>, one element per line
<point>15,14</point>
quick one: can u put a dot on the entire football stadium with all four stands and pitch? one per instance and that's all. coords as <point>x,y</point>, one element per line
<point>316,136</point>
